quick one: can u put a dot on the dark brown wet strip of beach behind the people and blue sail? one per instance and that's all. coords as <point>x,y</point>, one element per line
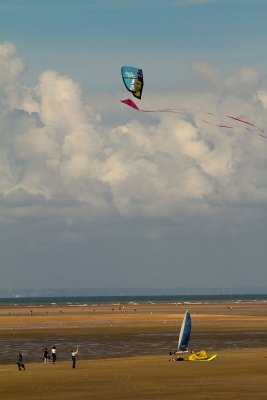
<point>123,345</point>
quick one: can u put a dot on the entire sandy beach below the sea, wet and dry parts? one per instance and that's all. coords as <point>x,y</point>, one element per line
<point>124,351</point>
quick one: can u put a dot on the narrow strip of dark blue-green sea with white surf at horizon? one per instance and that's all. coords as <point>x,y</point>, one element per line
<point>88,300</point>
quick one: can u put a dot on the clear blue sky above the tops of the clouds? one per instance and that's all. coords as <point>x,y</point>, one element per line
<point>90,40</point>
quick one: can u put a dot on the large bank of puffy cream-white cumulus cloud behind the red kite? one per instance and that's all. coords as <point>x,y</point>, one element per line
<point>57,154</point>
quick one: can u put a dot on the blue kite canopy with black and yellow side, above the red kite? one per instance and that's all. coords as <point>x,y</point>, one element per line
<point>133,80</point>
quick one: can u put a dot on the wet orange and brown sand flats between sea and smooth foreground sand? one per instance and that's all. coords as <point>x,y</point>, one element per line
<point>108,331</point>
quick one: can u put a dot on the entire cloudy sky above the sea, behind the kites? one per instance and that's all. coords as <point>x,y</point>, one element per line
<point>96,195</point>
